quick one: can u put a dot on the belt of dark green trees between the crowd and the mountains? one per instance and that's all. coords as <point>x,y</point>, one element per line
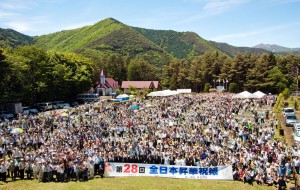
<point>30,74</point>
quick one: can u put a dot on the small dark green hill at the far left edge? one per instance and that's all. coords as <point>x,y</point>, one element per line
<point>12,38</point>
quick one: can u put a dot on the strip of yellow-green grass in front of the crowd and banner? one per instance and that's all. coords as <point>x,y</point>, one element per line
<point>134,183</point>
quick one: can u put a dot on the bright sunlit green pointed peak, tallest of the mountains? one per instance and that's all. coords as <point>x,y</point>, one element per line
<point>108,36</point>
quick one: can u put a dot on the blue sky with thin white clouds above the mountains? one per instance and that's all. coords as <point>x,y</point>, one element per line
<point>237,22</point>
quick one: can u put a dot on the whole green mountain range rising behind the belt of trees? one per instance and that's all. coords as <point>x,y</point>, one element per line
<point>110,36</point>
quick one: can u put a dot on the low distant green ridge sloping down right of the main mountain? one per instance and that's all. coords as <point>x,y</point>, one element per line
<point>233,50</point>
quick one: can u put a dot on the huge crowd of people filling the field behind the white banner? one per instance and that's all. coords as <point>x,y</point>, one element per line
<point>188,130</point>
